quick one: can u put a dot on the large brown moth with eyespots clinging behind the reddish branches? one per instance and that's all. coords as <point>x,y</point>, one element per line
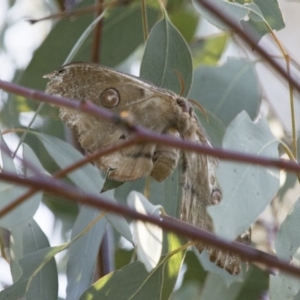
<point>154,108</point>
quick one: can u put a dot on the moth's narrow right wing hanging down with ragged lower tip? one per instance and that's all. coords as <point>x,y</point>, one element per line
<point>200,189</point>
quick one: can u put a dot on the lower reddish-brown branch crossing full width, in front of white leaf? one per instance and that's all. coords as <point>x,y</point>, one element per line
<point>76,195</point>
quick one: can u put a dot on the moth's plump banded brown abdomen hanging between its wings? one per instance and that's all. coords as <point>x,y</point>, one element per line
<point>165,159</point>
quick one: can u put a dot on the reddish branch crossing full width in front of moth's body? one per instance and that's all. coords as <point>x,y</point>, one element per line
<point>146,135</point>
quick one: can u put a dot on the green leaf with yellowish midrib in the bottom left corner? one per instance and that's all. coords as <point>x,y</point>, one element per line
<point>31,265</point>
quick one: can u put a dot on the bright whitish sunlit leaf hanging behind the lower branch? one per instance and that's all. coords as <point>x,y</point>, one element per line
<point>147,237</point>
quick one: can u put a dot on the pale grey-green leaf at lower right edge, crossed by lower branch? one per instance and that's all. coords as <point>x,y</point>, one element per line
<point>284,286</point>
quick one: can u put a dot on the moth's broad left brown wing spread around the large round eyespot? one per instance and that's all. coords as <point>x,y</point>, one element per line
<point>149,106</point>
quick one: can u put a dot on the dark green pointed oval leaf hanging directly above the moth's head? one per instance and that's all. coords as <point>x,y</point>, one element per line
<point>167,53</point>
